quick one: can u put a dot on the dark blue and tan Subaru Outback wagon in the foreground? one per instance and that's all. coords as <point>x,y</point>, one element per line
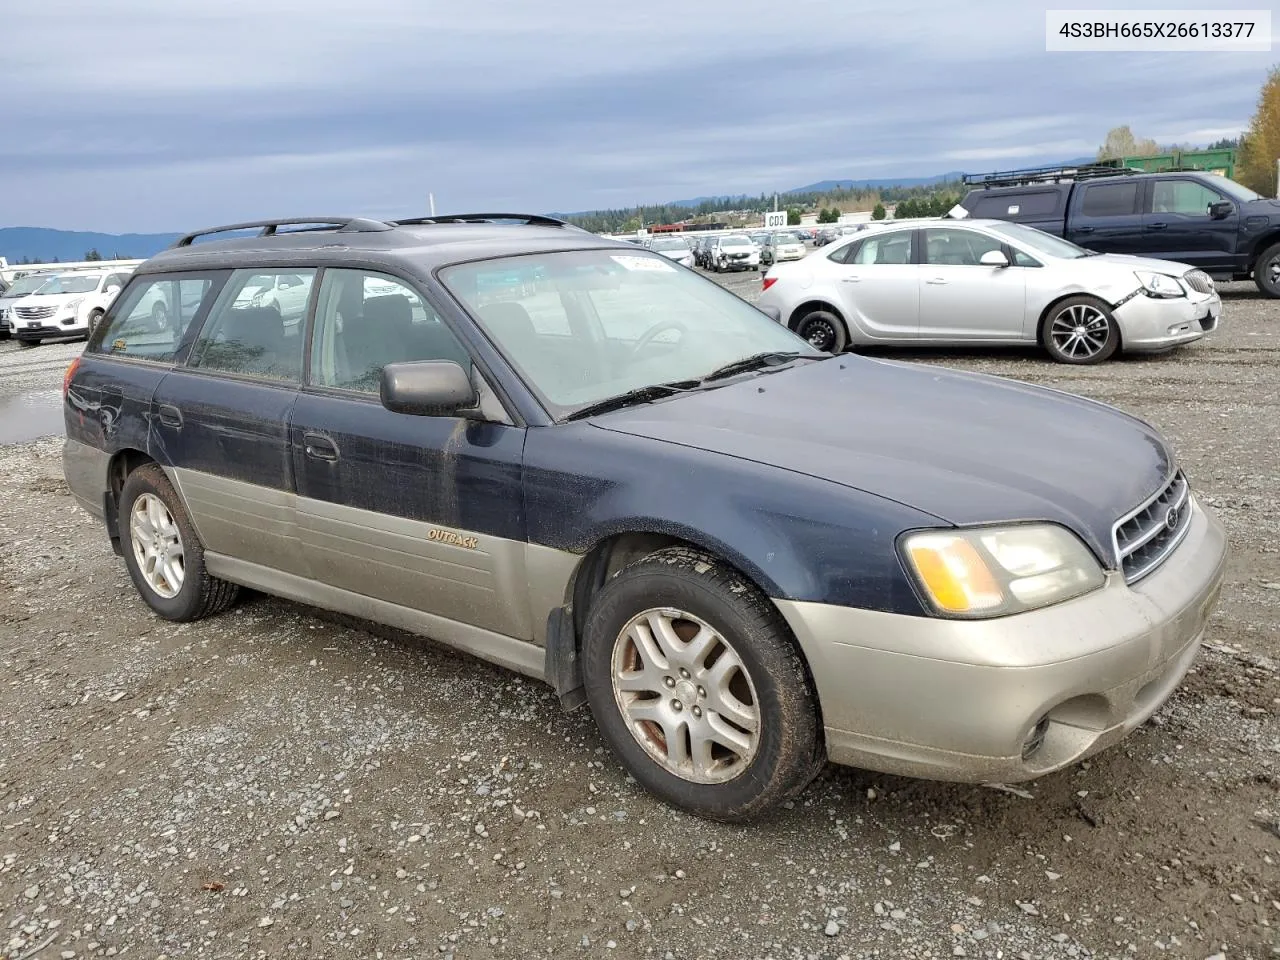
<point>582,461</point>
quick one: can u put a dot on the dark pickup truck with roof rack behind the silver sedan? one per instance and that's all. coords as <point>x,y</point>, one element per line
<point>1191,217</point>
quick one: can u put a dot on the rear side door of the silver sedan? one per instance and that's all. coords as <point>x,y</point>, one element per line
<point>879,285</point>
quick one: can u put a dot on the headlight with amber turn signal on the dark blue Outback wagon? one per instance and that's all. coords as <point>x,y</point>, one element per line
<point>996,572</point>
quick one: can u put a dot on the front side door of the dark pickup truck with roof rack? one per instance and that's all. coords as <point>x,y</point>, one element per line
<point>1180,226</point>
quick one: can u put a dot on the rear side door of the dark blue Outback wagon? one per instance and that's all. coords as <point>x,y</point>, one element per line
<point>221,424</point>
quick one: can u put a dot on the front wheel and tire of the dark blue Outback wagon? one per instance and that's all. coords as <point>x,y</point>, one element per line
<point>698,688</point>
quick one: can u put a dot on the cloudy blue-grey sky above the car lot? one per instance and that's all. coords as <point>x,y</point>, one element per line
<point>170,115</point>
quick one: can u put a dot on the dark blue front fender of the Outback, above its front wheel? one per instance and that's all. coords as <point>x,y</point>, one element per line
<point>797,537</point>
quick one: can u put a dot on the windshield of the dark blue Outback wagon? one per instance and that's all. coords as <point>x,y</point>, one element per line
<point>588,326</point>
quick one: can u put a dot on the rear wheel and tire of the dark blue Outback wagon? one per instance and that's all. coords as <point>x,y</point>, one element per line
<point>163,552</point>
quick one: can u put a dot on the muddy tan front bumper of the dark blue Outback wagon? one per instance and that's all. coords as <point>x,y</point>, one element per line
<point>958,701</point>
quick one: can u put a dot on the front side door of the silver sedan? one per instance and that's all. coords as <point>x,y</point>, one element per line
<point>962,299</point>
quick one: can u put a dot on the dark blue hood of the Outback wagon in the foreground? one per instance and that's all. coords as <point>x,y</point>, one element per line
<point>964,447</point>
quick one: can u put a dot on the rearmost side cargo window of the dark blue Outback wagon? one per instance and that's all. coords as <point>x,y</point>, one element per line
<point>153,316</point>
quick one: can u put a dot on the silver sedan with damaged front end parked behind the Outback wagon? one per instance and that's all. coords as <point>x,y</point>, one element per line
<point>986,284</point>
